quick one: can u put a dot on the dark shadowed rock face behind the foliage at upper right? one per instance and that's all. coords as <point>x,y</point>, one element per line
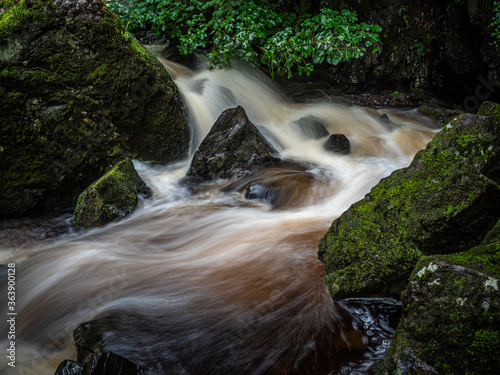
<point>440,47</point>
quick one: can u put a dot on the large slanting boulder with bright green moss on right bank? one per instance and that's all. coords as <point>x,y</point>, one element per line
<point>444,202</point>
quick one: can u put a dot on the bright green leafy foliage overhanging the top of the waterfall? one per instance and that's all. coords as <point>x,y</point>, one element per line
<point>254,31</point>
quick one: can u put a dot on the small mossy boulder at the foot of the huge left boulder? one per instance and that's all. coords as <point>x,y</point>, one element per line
<point>114,195</point>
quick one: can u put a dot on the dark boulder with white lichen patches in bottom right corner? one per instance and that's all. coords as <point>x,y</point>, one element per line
<point>450,322</point>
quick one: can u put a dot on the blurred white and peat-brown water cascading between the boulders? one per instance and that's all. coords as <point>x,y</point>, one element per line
<point>209,282</point>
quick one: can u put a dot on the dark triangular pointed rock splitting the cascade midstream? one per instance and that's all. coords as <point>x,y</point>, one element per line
<point>233,144</point>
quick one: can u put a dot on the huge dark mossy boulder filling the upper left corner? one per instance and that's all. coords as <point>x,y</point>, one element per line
<point>78,94</point>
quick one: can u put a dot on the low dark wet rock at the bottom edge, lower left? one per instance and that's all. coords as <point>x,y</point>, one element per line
<point>101,363</point>
